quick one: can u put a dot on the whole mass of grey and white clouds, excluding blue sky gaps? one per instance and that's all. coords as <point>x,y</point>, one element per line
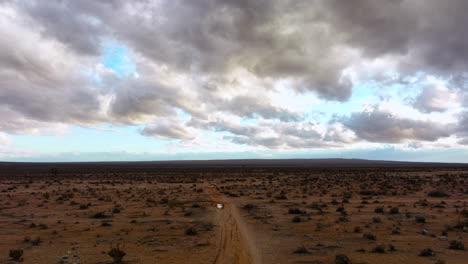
<point>47,48</point>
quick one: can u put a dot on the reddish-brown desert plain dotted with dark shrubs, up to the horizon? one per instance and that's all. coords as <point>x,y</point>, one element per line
<point>252,212</point>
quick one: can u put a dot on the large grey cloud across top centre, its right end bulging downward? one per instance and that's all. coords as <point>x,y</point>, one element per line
<point>214,37</point>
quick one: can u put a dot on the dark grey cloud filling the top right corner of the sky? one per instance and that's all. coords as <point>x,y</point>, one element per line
<point>420,36</point>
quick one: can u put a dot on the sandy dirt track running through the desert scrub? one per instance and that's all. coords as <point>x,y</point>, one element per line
<point>235,244</point>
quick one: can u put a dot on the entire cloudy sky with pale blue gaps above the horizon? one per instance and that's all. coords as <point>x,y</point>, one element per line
<point>116,80</point>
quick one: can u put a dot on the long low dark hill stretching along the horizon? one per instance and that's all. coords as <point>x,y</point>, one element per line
<point>23,167</point>
